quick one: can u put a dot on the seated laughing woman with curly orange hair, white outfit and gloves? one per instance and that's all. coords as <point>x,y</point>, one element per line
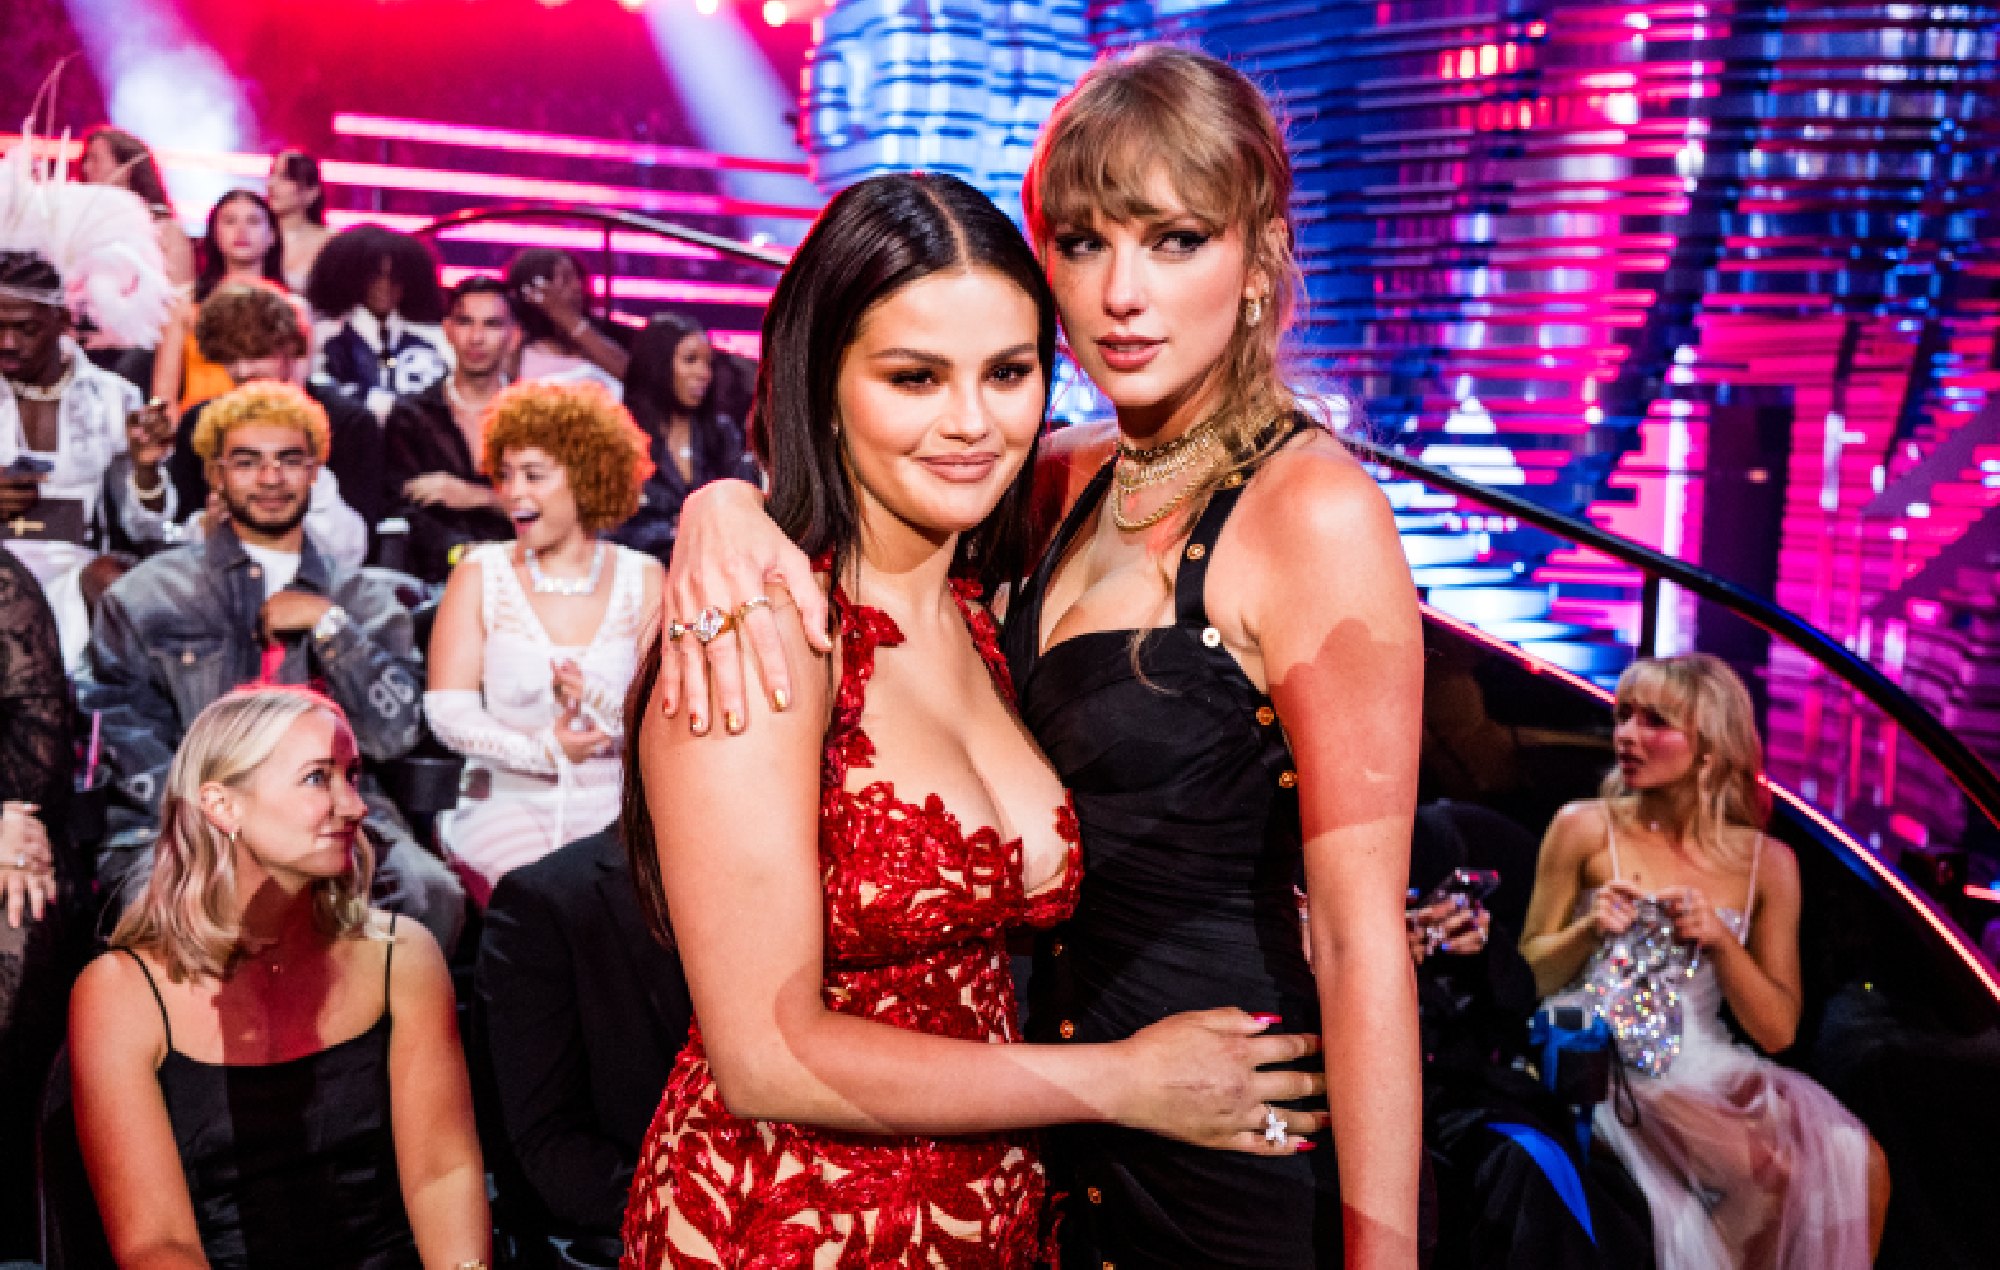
<point>537,639</point>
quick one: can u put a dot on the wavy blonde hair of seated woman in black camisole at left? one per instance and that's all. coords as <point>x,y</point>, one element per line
<point>189,911</point>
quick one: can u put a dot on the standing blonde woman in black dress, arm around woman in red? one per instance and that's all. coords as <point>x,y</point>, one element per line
<point>1223,659</point>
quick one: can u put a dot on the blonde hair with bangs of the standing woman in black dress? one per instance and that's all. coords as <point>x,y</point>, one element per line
<point>1219,143</point>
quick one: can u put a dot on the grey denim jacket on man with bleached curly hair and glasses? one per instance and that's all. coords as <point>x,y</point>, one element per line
<point>181,631</point>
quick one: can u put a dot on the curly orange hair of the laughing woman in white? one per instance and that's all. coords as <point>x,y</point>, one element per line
<point>587,433</point>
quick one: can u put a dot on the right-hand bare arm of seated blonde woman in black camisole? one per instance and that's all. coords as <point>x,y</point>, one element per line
<point>431,1109</point>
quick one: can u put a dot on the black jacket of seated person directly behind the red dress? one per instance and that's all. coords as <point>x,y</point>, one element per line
<point>585,1015</point>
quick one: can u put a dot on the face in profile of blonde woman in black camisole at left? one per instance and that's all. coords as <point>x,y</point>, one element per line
<point>299,813</point>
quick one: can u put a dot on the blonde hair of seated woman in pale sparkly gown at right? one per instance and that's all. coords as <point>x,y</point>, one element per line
<point>1703,697</point>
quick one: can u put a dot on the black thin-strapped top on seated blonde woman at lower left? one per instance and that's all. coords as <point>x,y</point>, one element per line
<point>291,1165</point>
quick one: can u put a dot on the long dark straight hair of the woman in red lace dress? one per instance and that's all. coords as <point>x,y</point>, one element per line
<point>869,243</point>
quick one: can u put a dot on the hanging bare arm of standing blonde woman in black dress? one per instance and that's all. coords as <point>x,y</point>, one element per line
<point>1335,617</point>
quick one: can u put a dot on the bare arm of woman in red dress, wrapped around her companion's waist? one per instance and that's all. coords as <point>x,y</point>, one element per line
<point>745,891</point>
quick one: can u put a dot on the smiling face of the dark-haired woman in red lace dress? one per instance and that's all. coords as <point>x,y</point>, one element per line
<point>939,413</point>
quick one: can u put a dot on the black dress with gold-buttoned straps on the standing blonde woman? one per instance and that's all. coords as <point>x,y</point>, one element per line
<point>1189,809</point>
